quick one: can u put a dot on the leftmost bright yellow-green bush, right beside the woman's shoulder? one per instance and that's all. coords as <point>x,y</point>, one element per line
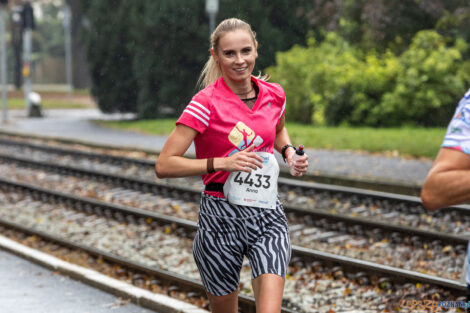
<point>314,76</point>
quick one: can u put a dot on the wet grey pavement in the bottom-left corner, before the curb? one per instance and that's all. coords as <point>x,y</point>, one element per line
<point>28,288</point>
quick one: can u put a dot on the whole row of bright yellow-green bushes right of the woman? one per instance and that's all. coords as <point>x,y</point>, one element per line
<point>335,83</point>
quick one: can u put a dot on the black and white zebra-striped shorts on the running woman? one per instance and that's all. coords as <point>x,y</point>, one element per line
<point>227,232</point>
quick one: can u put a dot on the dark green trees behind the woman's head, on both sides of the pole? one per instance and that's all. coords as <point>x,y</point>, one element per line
<point>155,50</point>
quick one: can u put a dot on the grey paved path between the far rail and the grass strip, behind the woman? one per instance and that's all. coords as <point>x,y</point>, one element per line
<point>77,124</point>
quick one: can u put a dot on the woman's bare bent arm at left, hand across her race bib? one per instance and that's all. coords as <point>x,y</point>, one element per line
<point>171,162</point>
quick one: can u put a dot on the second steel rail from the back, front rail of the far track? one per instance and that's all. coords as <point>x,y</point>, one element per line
<point>187,193</point>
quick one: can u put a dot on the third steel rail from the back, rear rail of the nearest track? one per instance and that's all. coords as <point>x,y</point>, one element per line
<point>349,264</point>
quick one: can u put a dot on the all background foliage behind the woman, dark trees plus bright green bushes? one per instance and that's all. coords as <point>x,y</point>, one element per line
<point>341,62</point>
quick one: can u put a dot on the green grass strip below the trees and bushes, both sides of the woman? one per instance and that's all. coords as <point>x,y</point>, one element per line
<point>409,141</point>
